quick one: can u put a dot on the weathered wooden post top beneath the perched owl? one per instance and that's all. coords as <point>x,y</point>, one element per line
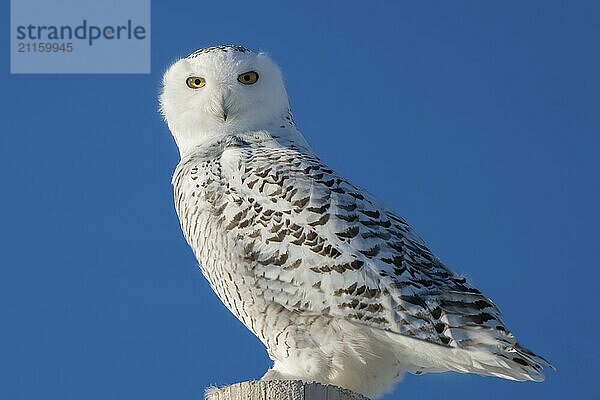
<point>281,390</point>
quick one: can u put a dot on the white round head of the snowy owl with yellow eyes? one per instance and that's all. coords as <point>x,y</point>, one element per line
<point>220,90</point>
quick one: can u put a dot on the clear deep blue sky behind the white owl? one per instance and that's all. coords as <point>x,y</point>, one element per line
<point>479,122</point>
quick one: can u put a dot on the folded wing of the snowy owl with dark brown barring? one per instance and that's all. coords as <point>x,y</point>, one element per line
<point>320,245</point>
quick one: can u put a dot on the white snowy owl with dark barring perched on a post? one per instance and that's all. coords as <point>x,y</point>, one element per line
<point>339,288</point>
